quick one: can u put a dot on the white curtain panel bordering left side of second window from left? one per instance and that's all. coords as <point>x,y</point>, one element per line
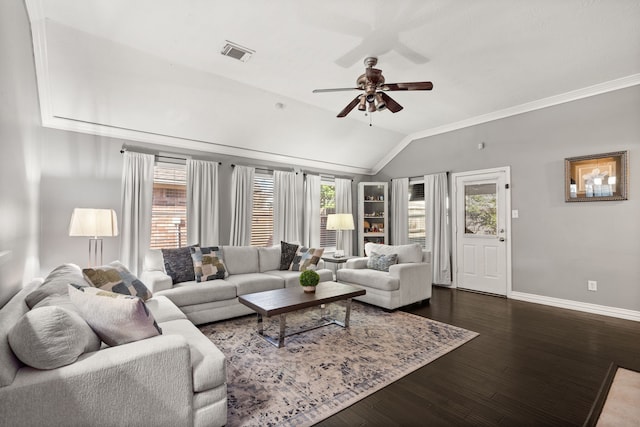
<point>241,205</point>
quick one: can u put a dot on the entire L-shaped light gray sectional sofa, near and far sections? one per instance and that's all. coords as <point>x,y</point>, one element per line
<point>177,378</point>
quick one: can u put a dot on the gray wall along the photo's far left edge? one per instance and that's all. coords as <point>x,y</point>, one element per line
<point>20,136</point>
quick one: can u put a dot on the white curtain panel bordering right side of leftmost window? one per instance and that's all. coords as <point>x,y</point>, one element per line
<point>202,203</point>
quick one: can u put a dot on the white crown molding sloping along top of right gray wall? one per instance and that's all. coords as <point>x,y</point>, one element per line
<point>586,92</point>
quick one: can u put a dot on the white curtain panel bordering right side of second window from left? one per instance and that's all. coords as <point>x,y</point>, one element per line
<point>285,207</point>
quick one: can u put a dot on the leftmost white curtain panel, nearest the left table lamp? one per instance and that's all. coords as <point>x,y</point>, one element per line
<point>137,198</point>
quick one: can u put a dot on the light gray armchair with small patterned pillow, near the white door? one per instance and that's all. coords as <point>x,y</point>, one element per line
<point>407,282</point>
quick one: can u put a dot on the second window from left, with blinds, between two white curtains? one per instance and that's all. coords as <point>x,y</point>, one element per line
<point>262,217</point>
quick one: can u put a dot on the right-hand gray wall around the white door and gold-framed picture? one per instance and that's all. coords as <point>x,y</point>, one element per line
<point>556,246</point>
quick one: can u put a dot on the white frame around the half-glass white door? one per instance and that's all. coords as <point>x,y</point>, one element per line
<point>454,221</point>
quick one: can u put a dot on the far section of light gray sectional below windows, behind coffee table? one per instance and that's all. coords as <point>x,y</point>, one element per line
<point>251,269</point>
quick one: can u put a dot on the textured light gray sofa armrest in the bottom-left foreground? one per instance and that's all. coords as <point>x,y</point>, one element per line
<point>148,382</point>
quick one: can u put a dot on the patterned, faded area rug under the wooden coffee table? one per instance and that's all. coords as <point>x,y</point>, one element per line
<point>320,372</point>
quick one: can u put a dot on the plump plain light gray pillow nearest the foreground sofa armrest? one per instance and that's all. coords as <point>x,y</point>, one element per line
<point>51,337</point>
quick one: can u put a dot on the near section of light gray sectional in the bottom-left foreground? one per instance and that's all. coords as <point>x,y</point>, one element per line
<point>177,378</point>
